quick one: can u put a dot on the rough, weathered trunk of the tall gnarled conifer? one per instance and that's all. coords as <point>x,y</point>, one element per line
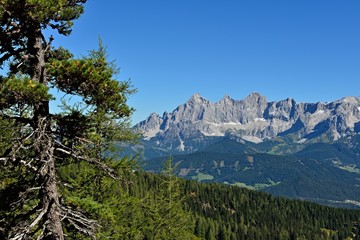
<point>44,144</point>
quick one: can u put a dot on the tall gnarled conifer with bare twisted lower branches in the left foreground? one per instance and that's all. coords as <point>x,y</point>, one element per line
<point>34,141</point>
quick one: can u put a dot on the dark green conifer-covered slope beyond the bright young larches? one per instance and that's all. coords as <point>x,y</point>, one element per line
<point>229,212</point>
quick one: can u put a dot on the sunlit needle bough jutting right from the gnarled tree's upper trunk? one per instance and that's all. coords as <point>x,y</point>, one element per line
<point>91,78</point>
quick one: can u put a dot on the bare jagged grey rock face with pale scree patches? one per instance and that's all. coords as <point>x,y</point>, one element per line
<point>253,119</point>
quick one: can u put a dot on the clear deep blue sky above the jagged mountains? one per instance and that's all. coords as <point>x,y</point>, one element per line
<point>171,49</point>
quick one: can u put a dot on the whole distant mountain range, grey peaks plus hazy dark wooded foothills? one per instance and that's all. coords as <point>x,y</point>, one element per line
<point>301,150</point>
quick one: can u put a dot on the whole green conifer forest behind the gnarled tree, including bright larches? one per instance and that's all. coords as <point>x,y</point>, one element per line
<point>160,206</point>
